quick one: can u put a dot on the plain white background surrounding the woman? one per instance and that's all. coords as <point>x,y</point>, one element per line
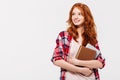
<point>28,29</point>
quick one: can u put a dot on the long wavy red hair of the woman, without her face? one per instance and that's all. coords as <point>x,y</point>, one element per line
<point>89,35</point>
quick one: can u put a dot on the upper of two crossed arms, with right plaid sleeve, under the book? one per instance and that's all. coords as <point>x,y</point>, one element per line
<point>98,63</point>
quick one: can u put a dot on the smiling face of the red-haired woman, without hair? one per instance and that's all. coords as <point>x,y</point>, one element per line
<point>77,17</point>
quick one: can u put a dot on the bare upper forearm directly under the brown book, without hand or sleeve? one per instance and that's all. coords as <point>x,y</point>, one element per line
<point>90,64</point>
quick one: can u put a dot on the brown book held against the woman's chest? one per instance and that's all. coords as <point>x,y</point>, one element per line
<point>85,53</point>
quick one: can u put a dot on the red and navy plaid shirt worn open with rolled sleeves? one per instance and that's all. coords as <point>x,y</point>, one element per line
<point>61,51</point>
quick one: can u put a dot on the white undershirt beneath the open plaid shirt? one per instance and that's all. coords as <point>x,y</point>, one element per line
<point>74,46</point>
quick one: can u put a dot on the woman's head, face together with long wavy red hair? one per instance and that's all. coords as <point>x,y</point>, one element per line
<point>80,17</point>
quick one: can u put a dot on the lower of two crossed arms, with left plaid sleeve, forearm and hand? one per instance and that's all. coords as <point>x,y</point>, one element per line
<point>59,58</point>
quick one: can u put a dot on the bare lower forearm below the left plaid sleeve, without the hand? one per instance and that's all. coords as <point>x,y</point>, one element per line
<point>65,65</point>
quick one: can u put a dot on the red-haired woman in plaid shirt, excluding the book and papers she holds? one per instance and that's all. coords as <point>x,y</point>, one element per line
<point>81,31</point>
